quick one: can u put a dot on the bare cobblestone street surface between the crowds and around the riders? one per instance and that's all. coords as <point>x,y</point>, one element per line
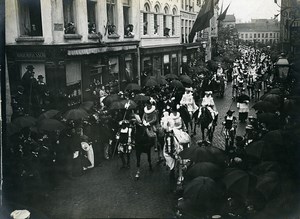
<point>108,192</point>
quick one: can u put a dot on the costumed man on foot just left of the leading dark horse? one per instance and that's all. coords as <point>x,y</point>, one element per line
<point>124,146</point>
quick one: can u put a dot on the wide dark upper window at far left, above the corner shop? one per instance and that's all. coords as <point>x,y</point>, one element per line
<point>30,18</point>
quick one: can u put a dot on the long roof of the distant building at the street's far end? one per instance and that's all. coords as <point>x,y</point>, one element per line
<point>258,27</point>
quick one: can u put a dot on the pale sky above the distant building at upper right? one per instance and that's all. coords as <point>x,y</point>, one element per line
<point>244,10</point>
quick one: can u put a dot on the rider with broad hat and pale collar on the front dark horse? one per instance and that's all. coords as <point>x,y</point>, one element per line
<point>149,119</point>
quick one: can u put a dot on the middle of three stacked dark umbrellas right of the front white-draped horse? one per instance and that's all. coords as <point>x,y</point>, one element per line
<point>206,169</point>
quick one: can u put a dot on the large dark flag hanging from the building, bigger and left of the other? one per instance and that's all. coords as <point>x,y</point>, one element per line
<point>203,18</point>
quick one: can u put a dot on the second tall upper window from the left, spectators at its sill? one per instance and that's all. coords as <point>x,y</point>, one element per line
<point>69,17</point>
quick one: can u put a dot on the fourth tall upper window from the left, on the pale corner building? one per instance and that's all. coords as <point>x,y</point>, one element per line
<point>111,17</point>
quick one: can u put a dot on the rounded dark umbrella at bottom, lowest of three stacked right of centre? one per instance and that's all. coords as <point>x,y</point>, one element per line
<point>203,191</point>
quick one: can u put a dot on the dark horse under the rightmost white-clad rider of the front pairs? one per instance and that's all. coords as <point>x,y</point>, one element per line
<point>205,121</point>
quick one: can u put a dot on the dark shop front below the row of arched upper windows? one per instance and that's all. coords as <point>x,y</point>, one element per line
<point>159,61</point>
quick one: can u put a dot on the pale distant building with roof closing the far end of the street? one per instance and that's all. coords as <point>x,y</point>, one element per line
<point>265,31</point>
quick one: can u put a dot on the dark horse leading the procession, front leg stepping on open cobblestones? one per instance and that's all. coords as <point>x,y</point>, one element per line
<point>143,144</point>
